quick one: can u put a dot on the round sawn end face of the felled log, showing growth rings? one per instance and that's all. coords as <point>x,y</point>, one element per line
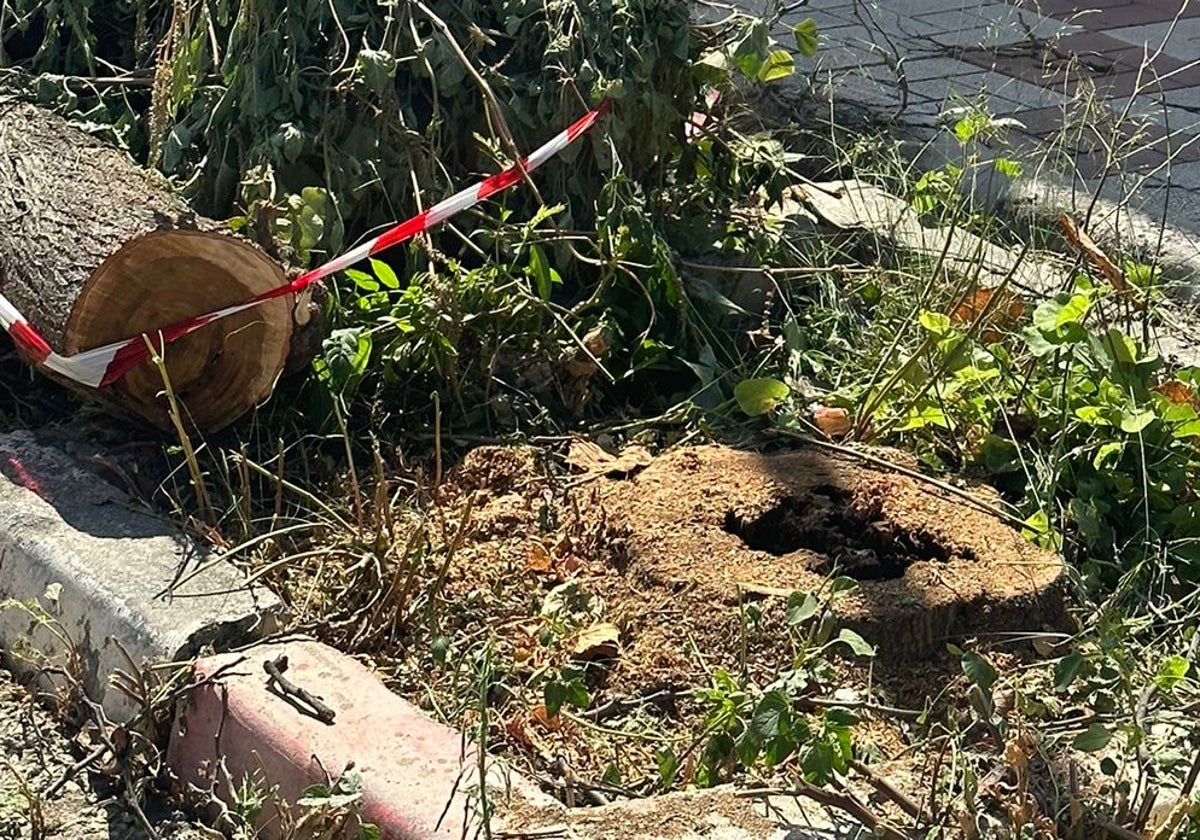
<point>219,373</point>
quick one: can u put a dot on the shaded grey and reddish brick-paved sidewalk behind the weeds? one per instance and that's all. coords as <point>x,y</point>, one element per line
<point>1089,82</point>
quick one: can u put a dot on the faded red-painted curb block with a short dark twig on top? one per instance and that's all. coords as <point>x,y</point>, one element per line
<point>413,769</point>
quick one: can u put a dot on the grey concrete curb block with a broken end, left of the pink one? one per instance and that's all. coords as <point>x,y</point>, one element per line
<point>86,580</point>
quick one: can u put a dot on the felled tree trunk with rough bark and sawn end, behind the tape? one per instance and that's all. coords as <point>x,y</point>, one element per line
<point>95,250</point>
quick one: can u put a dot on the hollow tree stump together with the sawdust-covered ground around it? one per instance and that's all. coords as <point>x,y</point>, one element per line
<point>645,575</point>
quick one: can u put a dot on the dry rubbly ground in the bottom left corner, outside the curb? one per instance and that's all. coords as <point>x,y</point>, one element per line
<point>35,753</point>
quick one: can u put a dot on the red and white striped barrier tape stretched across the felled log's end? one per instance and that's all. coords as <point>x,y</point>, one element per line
<point>105,365</point>
